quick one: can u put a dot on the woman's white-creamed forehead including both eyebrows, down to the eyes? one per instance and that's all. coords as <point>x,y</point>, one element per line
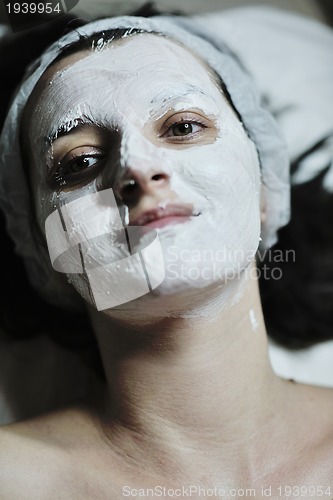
<point>131,81</point>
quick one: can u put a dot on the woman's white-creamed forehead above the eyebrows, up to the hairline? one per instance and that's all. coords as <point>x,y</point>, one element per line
<point>153,59</point>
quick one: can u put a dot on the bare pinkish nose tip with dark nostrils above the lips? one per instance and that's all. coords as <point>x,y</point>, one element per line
<point>137,184</point>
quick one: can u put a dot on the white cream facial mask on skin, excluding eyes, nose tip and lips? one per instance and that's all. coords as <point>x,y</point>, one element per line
<point>128,87</point>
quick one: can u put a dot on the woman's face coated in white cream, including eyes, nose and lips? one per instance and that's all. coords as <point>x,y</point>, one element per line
<point>147,118</point>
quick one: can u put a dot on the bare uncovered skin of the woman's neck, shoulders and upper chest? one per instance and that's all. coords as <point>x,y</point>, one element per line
<point>188,400</point>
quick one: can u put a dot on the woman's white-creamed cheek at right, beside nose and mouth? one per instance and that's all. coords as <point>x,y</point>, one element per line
<point>221,178</point>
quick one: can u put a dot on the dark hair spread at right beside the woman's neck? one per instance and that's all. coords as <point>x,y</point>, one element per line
<point>298,308</point>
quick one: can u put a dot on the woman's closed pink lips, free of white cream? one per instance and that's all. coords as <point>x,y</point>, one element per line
<point>159,217</point>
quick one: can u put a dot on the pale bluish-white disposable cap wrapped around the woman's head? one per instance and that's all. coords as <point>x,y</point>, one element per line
<point>15,197</point>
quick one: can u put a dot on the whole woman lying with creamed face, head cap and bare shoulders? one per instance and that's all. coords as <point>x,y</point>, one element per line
<point>160,144</point>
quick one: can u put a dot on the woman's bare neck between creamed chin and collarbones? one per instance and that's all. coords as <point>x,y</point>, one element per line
<point>191,384</point>
